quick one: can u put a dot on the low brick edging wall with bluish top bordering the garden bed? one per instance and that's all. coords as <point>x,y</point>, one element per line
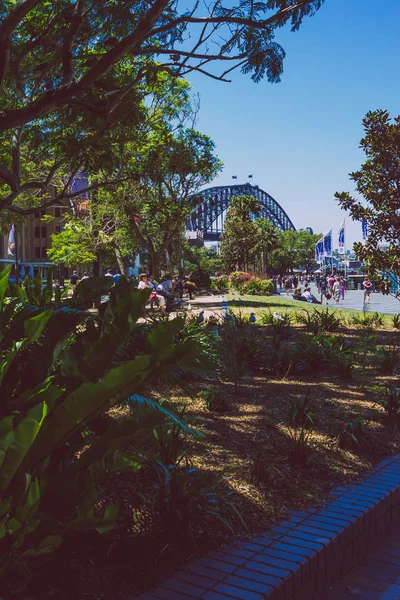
<point>300,557</point>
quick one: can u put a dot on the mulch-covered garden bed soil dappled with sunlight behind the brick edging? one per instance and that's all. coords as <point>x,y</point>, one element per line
<point>276,443</point>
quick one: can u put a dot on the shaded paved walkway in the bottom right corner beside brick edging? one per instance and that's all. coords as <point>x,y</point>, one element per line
<point>377,577</point>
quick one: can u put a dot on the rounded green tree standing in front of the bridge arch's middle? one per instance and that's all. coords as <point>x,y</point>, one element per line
<point>240,233</point>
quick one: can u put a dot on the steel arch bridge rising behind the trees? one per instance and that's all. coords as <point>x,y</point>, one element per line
<point>207,216</point>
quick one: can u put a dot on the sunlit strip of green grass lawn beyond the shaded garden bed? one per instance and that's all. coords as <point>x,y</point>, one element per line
<point>260,304</point>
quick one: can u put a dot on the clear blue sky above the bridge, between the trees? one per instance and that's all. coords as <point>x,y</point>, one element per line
<point>300,138</point>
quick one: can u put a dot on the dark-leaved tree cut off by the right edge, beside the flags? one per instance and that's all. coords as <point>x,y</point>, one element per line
<point>378,184</point>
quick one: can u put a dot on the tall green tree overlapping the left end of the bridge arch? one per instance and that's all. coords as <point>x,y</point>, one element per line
<point>169,170</point>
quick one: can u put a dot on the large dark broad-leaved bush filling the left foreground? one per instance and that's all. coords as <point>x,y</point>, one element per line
<point>51,460</point>
